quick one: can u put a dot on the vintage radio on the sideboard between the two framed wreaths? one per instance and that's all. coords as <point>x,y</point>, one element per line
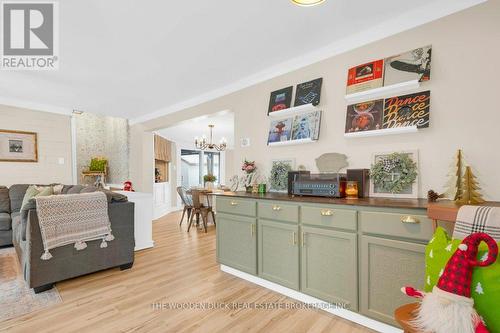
<point>320,185</point>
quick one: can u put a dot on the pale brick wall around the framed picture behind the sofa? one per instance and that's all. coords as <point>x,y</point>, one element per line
<point>54,142</point>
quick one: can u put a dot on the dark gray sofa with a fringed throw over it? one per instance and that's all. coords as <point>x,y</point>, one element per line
<point>21,229</point>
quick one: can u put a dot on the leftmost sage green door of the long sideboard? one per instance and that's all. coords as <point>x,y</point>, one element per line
<point>237,242</point>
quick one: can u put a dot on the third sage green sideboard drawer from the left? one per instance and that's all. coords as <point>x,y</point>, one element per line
<point>329,217</point>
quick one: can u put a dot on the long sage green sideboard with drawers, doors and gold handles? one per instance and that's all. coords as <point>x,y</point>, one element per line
<point>358,255</point>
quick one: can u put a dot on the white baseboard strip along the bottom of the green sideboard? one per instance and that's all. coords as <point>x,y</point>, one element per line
<point>346,314</point>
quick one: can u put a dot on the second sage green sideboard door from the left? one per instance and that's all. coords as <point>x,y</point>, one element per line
<point>279,253</point>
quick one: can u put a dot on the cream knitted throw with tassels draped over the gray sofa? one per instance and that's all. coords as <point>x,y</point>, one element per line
<point>73,218</point>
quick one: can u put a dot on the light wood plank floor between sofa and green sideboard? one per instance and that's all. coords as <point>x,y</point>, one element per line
<point>180,268</point>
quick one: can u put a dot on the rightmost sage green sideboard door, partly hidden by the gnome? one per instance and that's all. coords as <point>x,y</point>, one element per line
<point>386,266</point>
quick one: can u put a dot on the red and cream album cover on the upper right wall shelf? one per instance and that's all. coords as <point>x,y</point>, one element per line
<point>365,77</point>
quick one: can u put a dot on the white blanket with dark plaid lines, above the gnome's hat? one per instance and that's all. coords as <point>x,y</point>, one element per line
<point>471,219</point>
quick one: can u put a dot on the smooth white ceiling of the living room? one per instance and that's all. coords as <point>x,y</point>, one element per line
<point>142,59</point>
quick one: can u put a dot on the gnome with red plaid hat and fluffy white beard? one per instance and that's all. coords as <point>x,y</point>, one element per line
<point>449,307</point>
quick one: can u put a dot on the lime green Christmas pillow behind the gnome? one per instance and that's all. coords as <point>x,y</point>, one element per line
<point>485,287</point>
